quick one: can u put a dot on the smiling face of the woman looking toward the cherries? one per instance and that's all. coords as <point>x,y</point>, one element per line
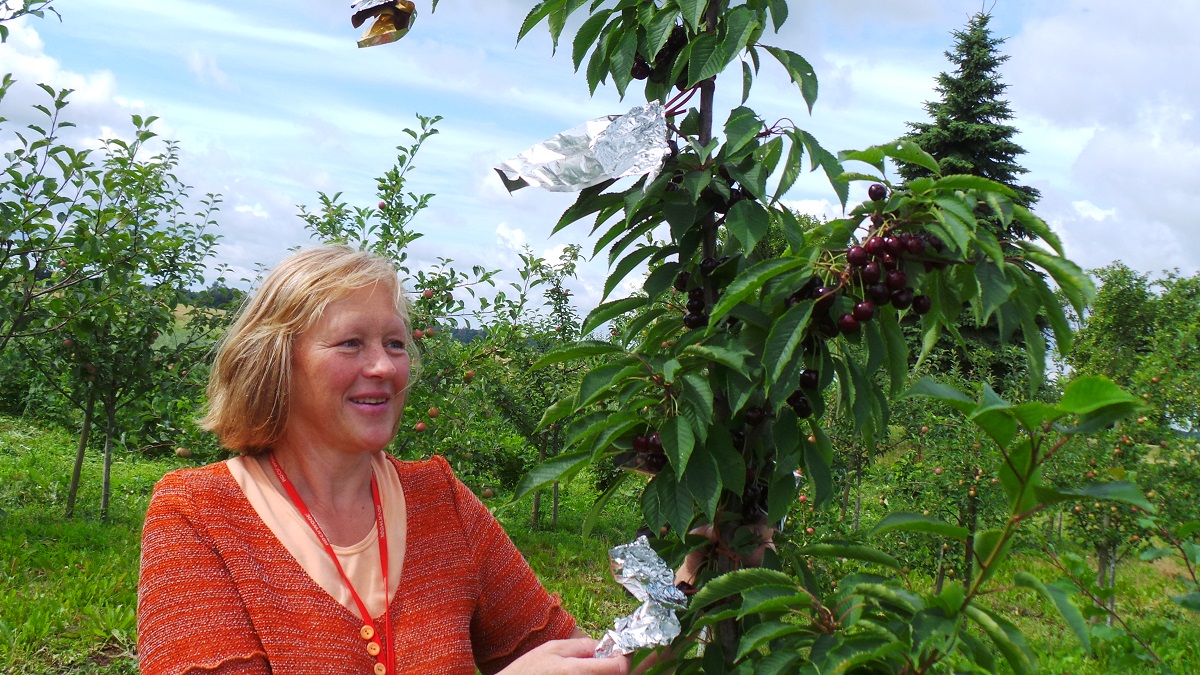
<point>349,377</point>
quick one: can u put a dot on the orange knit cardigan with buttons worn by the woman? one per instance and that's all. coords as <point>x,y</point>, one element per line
<point>220,594</point>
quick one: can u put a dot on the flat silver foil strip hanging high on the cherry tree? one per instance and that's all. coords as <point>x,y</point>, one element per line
<point>607,148</point>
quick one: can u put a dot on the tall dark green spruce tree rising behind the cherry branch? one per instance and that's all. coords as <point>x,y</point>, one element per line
<point>968,133</point>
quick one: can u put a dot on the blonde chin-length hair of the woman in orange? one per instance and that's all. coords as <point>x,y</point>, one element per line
<point>251,380</point>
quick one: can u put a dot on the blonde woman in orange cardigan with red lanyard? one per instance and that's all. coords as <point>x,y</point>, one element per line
<point>314,552</point>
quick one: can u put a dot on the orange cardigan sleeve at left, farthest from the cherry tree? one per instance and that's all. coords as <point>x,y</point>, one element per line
<point>191,618</point>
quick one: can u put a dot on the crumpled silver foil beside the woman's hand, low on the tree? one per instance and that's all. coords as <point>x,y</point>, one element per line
<point>643,572</point>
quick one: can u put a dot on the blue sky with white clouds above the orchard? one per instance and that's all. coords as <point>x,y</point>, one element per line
<point>273,103</point>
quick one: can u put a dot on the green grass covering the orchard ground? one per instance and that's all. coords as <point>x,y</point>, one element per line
<point>69,588</point>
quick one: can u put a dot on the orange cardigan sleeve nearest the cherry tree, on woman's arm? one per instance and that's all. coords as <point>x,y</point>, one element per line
<point>515,613</point>
